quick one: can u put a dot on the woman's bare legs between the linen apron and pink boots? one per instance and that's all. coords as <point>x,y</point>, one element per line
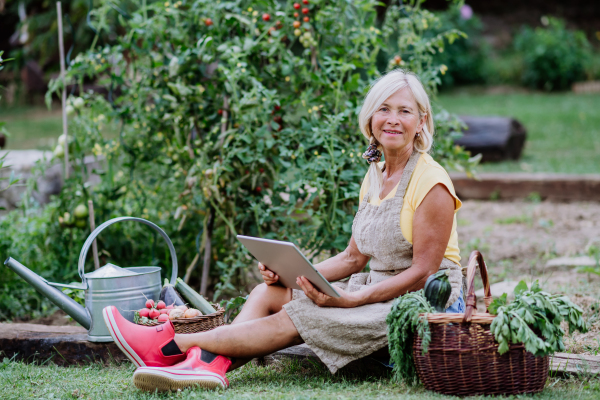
<point>261,328</point>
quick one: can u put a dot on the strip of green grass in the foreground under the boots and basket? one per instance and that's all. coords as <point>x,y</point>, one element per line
<point>288,379</point>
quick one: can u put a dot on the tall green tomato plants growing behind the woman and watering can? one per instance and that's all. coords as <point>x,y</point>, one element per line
<point>224,127</point>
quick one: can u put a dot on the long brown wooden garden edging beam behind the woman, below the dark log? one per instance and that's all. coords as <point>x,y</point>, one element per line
<point>555,187</point>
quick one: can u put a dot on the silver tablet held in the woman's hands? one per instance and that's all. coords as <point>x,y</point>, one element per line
<point>287,261</point>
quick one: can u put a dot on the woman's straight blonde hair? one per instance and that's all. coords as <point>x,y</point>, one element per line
<point>380,91</point>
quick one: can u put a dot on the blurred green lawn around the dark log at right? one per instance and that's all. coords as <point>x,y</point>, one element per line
<point>563,129</point>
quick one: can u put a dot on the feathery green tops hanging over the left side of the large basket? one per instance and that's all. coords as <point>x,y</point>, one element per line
<point>403,321</point>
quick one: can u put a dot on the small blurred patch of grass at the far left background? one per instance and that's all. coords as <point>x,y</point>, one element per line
<point>32,127</point>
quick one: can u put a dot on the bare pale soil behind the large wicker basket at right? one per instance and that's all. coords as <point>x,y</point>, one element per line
<point>518,238</point>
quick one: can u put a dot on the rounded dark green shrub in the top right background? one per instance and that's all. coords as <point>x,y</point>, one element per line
<point>553,57</point>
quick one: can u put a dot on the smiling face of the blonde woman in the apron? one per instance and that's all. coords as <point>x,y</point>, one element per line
<point>396,122</point>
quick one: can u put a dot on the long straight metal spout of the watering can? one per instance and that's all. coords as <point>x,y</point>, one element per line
<point>61,300</point>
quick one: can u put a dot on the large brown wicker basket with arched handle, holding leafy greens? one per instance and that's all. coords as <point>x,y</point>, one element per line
<point>463,355</point>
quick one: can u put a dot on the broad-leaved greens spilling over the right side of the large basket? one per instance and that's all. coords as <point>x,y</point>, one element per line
<point>534,311</point>
